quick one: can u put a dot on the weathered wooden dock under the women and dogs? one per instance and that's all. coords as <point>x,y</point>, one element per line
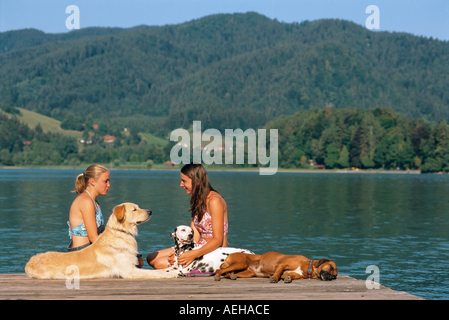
<point>19,286</point>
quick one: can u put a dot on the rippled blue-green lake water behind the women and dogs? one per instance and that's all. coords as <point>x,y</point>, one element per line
<point>397,222</point>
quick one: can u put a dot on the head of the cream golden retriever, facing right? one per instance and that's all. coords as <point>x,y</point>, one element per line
<point>127,216</point>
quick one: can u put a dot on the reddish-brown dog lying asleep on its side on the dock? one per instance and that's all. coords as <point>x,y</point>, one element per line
<point>275,265</point>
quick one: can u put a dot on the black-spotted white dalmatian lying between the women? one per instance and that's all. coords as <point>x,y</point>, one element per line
<point>183,237</point>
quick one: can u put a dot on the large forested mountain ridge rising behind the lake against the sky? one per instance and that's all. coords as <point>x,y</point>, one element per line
<point>227,70</point>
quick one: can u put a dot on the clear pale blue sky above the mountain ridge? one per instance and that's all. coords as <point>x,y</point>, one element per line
<point>429,18</point>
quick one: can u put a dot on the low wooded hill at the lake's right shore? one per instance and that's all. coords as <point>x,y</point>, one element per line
<point>374,138</point>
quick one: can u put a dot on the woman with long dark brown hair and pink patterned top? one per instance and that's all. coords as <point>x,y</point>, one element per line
<point>209,219</point>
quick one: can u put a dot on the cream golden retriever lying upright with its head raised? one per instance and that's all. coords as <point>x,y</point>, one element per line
<point>113,254</point>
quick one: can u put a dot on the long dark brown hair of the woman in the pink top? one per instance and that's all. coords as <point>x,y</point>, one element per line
<point>200,188</point>
